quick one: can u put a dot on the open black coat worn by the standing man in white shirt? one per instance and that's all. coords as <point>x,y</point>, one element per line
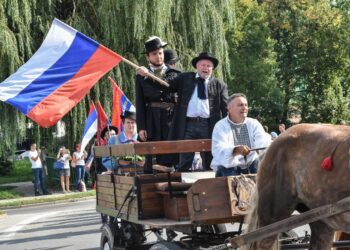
<point>184,85</point>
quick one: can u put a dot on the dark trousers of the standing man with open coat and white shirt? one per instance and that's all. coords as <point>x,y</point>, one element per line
<point>195,129</point>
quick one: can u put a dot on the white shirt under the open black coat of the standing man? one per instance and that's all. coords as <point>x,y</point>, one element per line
<point>198,107</point>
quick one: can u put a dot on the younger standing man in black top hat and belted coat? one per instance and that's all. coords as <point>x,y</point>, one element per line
<point>155,106</point>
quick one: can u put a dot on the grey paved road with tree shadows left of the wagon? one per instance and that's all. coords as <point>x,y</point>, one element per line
<point>73,225</point>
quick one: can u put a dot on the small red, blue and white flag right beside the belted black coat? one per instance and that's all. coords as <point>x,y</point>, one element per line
<point>120,104</point>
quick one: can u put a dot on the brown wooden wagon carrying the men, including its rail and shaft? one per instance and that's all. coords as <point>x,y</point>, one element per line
<point>182,210</point>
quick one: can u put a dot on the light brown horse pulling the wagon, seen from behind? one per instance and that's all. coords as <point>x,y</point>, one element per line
<point>290,178</point>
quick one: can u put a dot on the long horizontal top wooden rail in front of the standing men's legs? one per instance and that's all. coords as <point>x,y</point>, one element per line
<point>153,148</point>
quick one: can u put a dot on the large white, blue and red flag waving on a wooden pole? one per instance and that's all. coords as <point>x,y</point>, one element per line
<point>58,75</point>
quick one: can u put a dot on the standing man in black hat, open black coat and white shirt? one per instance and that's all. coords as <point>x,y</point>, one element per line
<point>202,102</point>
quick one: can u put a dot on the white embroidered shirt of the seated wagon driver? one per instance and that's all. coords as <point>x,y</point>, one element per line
<point>223,143</point>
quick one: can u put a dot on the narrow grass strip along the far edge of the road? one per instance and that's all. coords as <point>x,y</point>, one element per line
<point>45,199</point>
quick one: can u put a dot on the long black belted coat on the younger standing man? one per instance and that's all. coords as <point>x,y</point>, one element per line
<point>156,121</point>
